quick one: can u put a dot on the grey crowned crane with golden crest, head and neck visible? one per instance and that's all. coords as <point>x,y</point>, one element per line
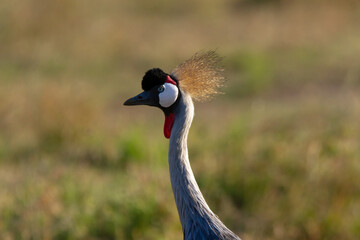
<point>199,78</point>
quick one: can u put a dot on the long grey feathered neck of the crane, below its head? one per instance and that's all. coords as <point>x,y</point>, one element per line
<point>197,220</point>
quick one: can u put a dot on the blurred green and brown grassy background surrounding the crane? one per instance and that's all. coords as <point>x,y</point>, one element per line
<point>277,156</point>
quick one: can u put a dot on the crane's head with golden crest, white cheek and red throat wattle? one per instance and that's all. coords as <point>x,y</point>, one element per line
<point>200,77</point>
